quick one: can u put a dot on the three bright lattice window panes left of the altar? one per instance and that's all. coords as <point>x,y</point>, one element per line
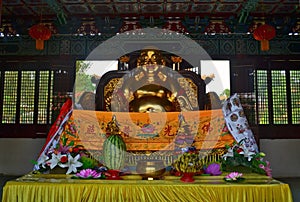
<point>26,97</point>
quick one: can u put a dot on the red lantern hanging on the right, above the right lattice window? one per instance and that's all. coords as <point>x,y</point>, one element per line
<point>264,33</point>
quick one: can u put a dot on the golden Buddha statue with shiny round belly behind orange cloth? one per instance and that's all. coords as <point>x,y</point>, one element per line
<point>152,97</point>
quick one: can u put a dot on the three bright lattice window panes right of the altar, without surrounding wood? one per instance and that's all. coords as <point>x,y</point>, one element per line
<point>278,98</point>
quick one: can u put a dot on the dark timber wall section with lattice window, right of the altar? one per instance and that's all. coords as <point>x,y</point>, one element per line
<point>272,101</point>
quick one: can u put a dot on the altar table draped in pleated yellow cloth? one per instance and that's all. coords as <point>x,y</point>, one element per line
<point>56,188</point>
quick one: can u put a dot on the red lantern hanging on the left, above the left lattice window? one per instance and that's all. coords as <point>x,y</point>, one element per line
<point>40,33</point>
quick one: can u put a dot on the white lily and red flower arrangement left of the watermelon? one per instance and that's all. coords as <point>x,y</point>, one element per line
<point>64,154</point>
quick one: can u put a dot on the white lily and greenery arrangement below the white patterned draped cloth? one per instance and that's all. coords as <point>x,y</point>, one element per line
<point>238,157</point>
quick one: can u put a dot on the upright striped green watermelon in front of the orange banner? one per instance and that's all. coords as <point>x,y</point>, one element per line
<point>114,152</point>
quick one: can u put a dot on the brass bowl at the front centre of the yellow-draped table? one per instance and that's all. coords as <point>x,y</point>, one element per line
<point>150,168</point>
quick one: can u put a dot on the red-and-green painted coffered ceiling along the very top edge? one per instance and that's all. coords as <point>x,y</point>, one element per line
<point>158,7</point>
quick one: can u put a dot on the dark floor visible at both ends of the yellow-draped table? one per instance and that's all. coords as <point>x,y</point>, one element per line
<point>294,184</point>
